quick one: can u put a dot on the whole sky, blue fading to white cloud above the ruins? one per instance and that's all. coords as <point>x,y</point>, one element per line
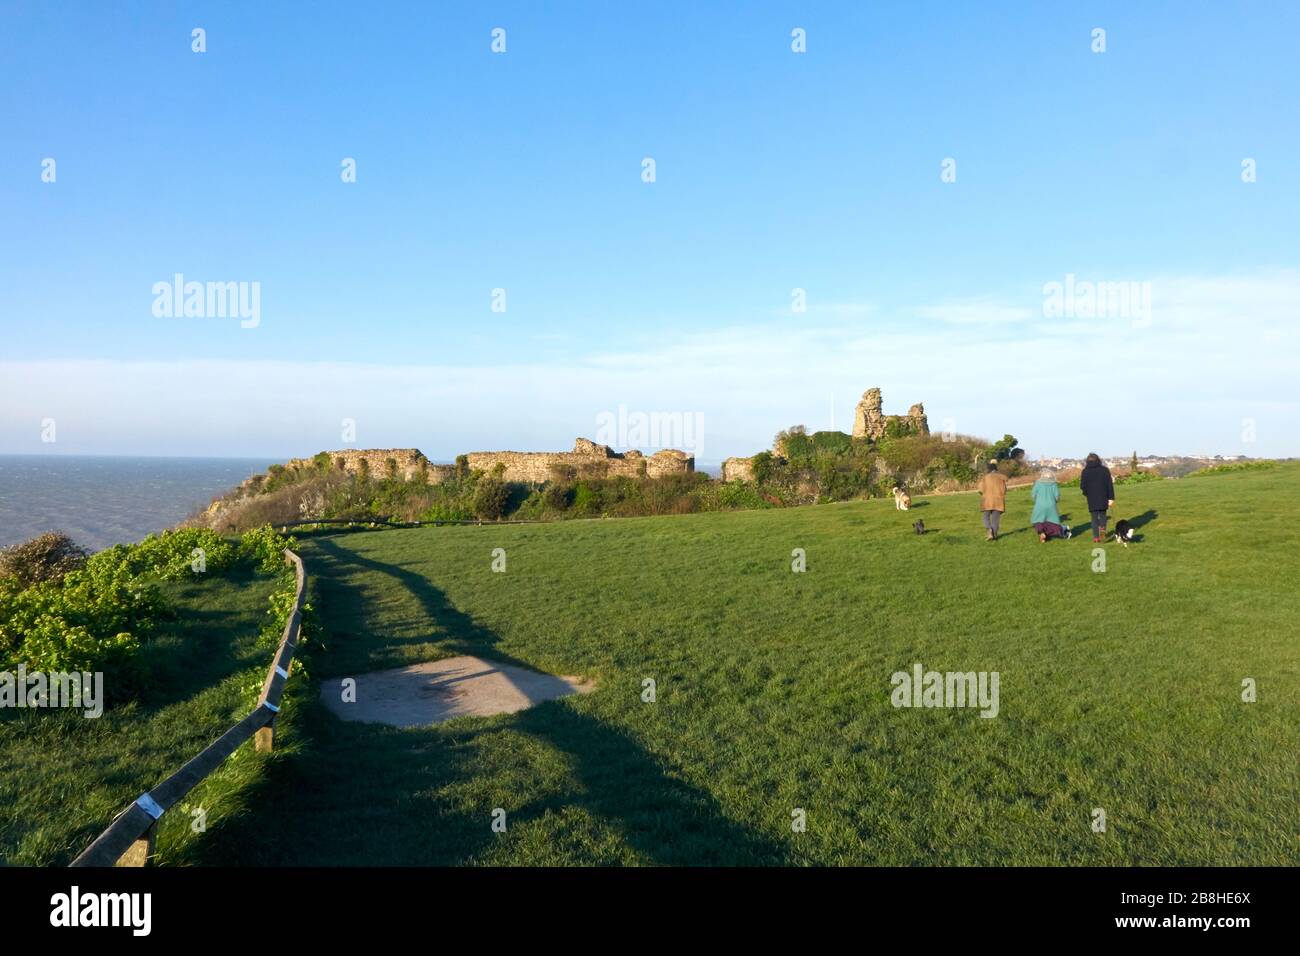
<point>522,171</point>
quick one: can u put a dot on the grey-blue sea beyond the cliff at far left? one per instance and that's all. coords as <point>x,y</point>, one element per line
<point>102,500</point>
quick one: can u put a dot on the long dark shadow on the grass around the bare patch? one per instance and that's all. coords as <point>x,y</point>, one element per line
<point>361,794</point>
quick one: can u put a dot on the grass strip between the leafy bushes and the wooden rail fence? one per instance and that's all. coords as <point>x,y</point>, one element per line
<point>64,778</point>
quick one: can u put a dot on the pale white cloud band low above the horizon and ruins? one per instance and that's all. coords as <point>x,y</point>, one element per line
<point>1215,354</point>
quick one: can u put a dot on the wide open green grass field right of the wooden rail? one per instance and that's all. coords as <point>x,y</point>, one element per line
<point>1120,690</point>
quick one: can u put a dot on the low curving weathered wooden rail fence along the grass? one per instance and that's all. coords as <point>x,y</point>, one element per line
<point>129,840</point>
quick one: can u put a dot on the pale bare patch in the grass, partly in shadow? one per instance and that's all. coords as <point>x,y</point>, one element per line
<point>439,691</point>
